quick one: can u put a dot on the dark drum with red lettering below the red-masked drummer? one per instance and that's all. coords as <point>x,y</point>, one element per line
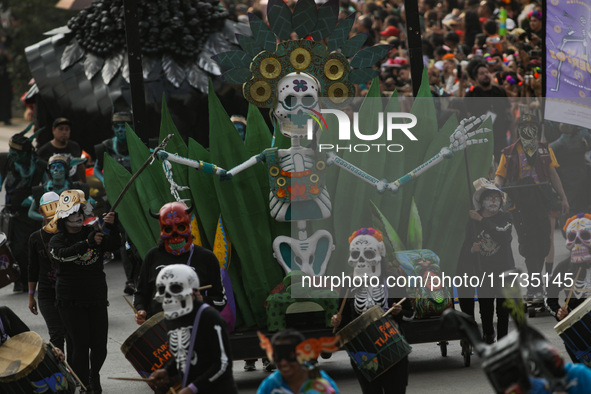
<point>147,348</point>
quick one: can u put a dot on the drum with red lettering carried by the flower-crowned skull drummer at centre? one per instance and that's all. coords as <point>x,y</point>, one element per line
<point>374,343</point>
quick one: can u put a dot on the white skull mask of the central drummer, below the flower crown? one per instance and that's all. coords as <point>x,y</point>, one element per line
<point>365,255</point>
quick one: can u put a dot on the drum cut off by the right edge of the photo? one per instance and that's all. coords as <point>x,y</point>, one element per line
<point>575,331</point>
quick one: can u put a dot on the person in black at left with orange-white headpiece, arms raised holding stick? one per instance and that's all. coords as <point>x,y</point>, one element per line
<point>81,289</point>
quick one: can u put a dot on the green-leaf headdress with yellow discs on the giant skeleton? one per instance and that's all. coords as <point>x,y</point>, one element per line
<point>269,54</point>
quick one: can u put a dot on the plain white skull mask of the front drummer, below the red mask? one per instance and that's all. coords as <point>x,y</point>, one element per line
<point>174,290</point>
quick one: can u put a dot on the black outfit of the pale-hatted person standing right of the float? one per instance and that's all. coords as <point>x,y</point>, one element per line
<point>494,236</point>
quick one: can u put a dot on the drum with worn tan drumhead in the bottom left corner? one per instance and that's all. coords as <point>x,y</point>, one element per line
<point>28,365</point>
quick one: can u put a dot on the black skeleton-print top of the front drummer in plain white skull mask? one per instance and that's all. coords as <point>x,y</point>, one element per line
<point>213,371</point>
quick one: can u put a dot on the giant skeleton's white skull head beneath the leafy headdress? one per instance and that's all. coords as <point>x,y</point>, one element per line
<point>296,98</point>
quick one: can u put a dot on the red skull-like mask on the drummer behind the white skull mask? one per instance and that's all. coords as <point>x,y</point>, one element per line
<point>175,228</point>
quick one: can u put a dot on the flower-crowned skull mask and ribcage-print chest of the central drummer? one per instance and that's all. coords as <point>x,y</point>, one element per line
<point>366,254</point>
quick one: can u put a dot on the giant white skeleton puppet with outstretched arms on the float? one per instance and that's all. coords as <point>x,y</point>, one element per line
<point>296,174</point>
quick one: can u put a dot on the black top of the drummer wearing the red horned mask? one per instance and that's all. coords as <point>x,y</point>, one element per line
<point>205,263</point>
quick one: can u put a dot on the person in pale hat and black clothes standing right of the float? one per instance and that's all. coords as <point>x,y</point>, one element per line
<point>486,249</point>
